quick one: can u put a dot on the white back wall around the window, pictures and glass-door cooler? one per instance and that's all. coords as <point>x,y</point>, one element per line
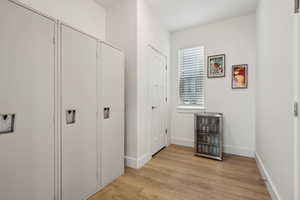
<point>237,39</point>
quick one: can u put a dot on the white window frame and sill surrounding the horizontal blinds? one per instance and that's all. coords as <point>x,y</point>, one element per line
<point>192,108</point>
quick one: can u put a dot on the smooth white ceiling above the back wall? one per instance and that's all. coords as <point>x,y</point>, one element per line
<point>181,14</point>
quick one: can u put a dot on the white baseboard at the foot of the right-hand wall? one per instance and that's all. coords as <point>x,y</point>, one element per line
<point>265,174</point>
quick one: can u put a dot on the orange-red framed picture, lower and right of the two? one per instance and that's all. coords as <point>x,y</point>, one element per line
<point>240,76</point>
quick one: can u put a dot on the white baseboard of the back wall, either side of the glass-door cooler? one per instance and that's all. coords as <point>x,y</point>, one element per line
<point>227,149</point>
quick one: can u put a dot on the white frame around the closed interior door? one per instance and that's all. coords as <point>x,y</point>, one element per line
<point>152,49</point>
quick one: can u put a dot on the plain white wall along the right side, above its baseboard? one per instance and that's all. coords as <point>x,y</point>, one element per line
<point>274,113</point>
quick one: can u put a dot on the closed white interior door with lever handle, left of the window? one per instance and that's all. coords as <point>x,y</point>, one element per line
<point>158,100</point>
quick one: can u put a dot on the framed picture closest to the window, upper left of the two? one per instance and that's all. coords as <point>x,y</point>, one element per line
<point>216,66</point>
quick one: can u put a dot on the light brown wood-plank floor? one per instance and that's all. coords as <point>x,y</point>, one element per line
<point>176,174</point>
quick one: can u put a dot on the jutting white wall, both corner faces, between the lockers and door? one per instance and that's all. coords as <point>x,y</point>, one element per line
<point>131,26</point>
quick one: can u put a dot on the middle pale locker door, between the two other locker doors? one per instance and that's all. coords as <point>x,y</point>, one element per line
<point>79,139</point>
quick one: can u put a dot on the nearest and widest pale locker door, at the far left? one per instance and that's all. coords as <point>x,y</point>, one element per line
<point>27,66</point>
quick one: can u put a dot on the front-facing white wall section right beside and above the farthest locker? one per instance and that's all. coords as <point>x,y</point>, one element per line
<point>122,31</point>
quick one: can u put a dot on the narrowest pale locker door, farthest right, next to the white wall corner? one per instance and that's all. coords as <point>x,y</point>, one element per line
<point>112,85</point>
